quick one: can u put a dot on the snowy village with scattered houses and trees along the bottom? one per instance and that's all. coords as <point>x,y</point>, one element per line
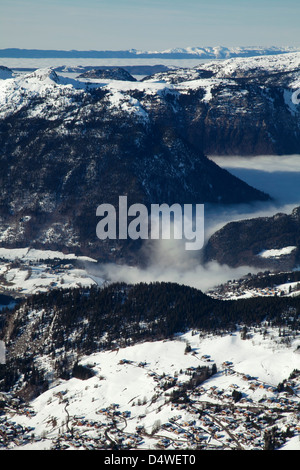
<point>248,414</point>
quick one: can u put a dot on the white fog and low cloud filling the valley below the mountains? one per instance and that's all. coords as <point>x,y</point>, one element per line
<point>170,262</point>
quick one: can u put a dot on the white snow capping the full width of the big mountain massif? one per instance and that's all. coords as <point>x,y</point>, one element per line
<point>58,91</point>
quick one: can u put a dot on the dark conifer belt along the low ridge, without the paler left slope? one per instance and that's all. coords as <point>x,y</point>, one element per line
<point>144,311</point>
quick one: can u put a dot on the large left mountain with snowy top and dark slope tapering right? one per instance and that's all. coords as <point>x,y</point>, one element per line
<point>67,147</point>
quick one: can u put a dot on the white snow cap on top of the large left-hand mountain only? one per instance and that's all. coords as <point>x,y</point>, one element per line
<point>58,93</point>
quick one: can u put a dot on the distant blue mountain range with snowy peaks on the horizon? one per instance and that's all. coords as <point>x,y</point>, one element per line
<point>218,52</point>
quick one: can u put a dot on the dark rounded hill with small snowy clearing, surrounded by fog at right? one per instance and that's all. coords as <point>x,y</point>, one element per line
<point>264,242</point>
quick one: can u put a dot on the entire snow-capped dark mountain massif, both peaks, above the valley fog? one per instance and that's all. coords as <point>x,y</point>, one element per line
<point>104,136</point>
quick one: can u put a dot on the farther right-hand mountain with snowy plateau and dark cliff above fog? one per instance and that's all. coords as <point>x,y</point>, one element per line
<point>240,106</point>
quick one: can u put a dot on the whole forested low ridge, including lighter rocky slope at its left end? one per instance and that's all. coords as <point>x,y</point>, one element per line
<point>65,324</point>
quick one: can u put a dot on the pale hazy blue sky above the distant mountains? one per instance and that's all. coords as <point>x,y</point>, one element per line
<point>145,24</point>
